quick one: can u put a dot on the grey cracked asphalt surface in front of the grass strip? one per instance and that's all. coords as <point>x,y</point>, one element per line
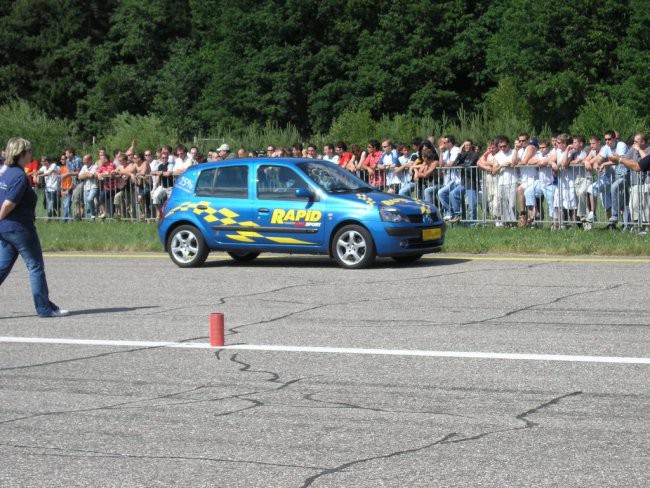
<point>381,386</point>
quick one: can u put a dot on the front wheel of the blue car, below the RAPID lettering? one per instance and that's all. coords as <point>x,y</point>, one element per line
<point>353,247</point>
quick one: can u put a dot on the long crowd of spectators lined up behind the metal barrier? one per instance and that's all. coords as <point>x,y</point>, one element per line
<point>523,183</point>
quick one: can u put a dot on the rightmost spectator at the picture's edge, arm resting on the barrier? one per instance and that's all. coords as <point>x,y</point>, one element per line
<point>640,179</point>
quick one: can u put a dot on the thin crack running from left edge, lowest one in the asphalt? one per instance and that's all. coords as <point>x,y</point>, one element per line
<point>85,453</point>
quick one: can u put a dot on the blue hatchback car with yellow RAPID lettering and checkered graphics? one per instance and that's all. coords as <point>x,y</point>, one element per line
<point>286,205</point>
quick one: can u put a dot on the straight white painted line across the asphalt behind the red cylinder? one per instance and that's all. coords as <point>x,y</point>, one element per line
<point>333,350</point>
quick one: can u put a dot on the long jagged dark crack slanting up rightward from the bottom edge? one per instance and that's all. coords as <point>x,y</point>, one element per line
<point>451,438</point>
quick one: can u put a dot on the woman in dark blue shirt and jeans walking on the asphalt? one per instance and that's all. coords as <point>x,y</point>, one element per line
<point>17,230</point>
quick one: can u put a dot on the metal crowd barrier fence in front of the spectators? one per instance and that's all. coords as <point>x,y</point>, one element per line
<point>467,196</point>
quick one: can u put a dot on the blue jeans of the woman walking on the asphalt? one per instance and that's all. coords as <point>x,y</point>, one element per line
<point>27,244</point>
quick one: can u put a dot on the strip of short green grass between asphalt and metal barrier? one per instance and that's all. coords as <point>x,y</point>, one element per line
<point>128,236</point>
